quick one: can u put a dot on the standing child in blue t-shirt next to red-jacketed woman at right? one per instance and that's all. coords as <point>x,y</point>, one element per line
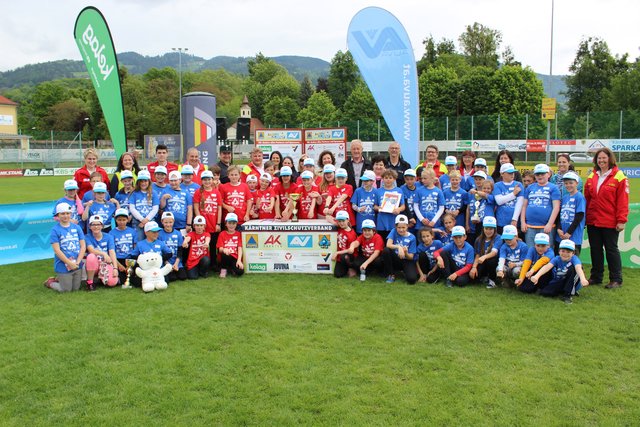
<point>572,212</point>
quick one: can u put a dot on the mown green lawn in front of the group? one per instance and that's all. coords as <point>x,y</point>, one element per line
<point>283,350</point>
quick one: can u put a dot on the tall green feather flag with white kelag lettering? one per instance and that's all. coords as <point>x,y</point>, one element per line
<point>96,47</point>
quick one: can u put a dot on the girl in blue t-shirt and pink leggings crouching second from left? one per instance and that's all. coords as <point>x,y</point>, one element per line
<point>101,255</point>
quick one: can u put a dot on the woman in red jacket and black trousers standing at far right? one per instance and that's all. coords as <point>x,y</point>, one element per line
<point>607,194</point>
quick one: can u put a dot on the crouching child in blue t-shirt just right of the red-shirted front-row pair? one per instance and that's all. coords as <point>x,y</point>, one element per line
<point>400,252</point>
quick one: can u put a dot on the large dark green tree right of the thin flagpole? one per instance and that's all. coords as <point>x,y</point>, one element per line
<point>593,70</point>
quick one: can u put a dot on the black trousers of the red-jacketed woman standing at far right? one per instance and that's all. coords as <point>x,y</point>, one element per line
<point>606,238</point>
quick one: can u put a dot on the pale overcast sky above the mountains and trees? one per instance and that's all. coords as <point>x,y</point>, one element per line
<point>33,31</point>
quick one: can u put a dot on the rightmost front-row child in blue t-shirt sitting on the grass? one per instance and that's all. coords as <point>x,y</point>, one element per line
<point>568,275</point>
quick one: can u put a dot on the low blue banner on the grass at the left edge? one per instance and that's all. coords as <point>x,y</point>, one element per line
<point>24,232</point>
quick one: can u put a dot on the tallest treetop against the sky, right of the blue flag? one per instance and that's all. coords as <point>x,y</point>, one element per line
<point>480,44</point>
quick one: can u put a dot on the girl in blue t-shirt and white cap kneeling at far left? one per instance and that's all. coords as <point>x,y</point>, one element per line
<point>68,244</point>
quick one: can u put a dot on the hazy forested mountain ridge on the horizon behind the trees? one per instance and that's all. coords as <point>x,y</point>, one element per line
<point>297,66</point>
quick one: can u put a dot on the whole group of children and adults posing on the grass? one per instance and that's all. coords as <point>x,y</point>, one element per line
<point>447,220</point>
